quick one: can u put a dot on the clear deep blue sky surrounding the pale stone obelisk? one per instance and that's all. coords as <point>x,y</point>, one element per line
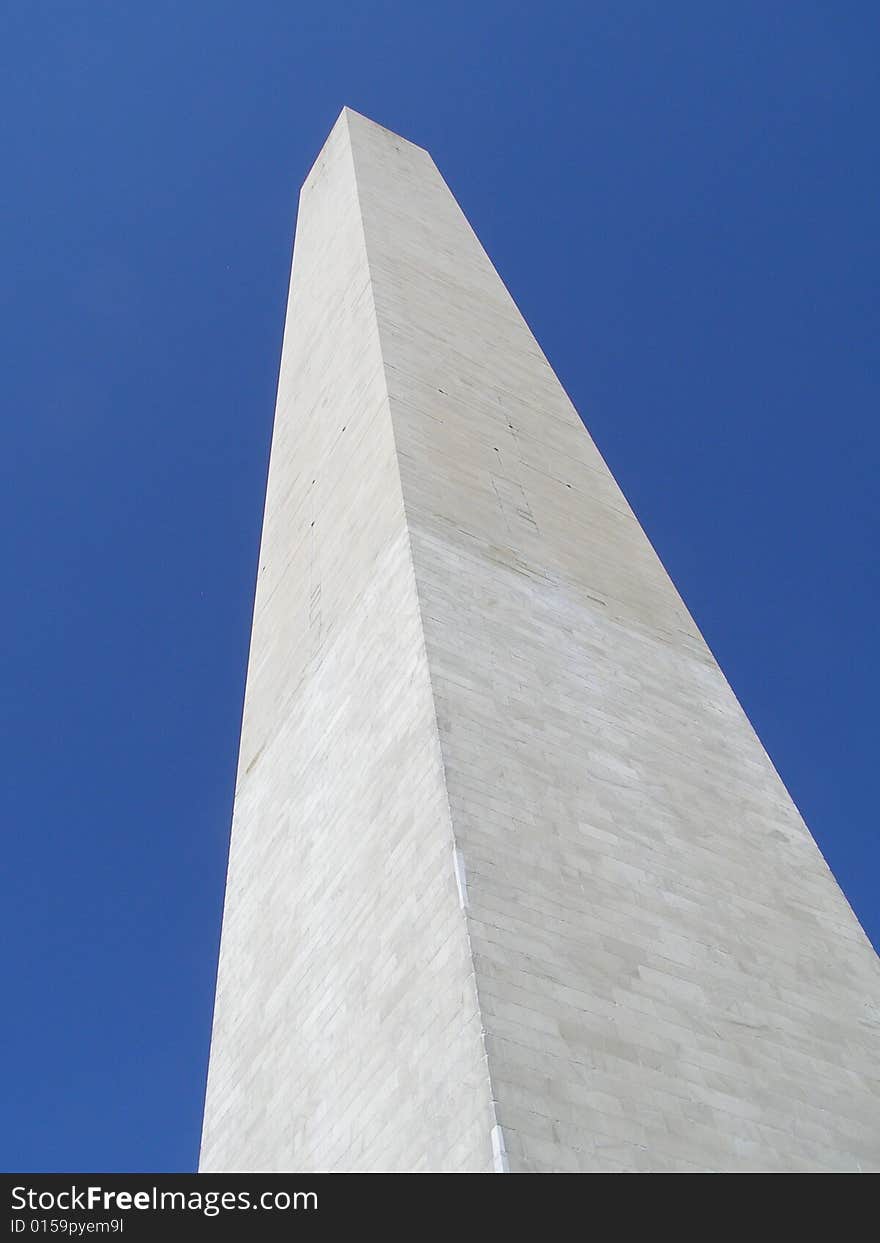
<point>684,201</point>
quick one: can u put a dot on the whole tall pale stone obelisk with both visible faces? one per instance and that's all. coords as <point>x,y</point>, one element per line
<point>513,883</point>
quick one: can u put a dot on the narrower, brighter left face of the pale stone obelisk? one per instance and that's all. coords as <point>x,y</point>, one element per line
<point>346,1032</point>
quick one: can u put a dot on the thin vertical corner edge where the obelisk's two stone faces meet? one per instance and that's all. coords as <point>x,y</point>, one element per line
<point>458,865</point>
